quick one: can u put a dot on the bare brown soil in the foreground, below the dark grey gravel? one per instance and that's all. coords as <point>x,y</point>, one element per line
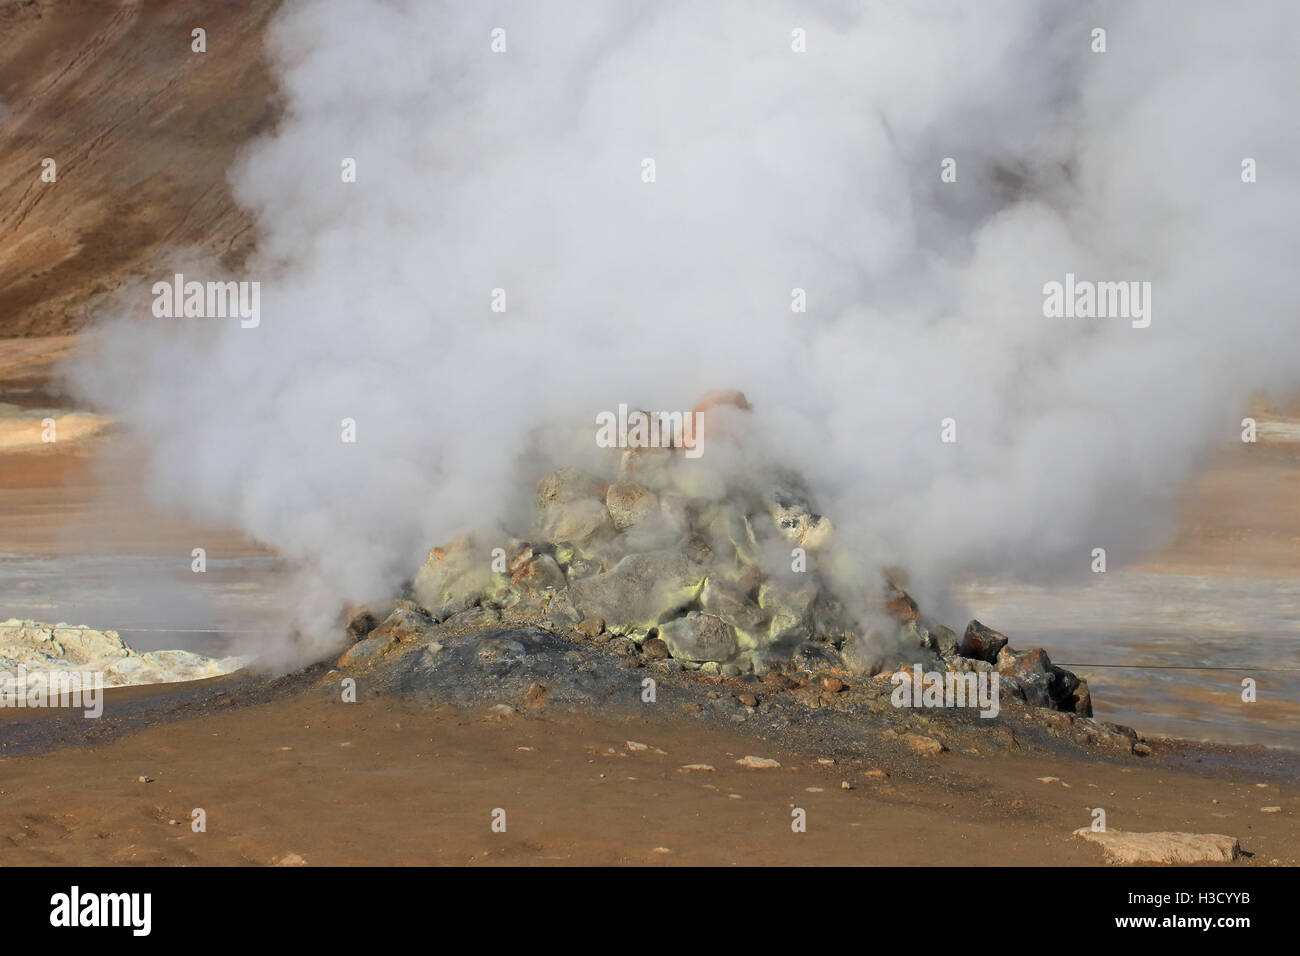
<point>400,784</point>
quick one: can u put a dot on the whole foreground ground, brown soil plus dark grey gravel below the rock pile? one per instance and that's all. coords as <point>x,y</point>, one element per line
<point>289,773</point>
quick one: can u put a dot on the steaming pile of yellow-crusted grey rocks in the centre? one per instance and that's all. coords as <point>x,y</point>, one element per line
<point>727,572</point>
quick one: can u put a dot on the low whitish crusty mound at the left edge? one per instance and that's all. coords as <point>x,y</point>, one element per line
<point>44,648</point>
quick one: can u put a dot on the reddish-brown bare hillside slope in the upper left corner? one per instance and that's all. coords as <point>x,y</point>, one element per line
<point>142,132</point>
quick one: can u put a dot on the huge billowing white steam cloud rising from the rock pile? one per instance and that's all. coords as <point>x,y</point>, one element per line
<point>775,170</point>
